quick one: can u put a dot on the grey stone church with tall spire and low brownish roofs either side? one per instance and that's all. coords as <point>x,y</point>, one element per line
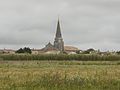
<point>58,45</point>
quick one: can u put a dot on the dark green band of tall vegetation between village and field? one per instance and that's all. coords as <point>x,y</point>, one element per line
<point>77,57</point>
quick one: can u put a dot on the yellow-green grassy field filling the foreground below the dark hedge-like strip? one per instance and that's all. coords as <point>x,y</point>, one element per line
<point>59,75</point>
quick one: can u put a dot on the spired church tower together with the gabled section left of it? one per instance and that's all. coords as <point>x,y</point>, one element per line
<point>58,43</point>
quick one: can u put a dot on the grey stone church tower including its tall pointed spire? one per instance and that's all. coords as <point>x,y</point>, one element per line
<point>59,43</point>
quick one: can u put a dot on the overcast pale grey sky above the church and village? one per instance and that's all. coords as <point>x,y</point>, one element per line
<point>84,23</point>
